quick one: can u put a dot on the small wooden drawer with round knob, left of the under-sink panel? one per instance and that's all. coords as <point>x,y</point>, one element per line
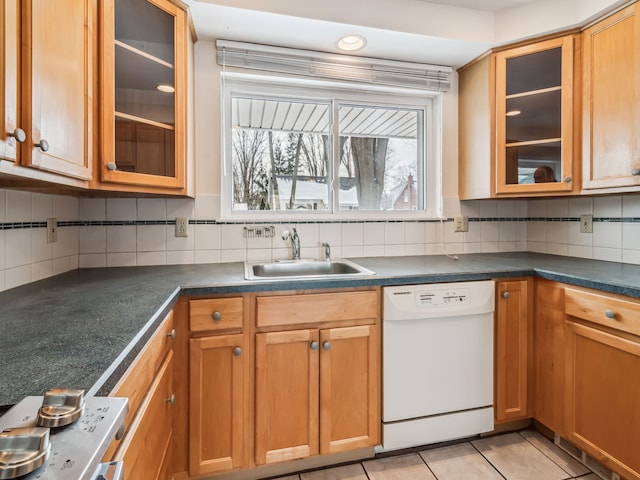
<point>215,314</point>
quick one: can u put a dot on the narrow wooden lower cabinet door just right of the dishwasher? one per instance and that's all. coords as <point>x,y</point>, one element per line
<point>513,349</point>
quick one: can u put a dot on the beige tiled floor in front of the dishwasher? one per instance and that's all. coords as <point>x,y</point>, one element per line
<point>524,455</point>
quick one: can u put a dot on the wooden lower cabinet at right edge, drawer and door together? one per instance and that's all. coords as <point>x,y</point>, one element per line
<point>602,372</point>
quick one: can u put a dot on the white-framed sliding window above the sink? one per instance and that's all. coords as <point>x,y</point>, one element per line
<point>324,149</point>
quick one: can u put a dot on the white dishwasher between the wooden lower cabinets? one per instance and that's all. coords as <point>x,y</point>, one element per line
<point>437,363</point>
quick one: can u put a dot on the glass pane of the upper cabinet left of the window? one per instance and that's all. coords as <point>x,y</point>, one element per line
<point>144,115</point>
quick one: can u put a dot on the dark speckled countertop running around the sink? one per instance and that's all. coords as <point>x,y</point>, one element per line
<point>83,328</point>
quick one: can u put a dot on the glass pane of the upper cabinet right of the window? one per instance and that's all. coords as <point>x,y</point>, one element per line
<point>534,117</point>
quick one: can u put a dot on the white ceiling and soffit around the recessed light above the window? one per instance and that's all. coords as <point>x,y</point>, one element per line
<point>441,32</point>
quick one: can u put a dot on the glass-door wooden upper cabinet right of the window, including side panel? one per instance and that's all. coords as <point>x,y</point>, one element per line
<point>517,111</point>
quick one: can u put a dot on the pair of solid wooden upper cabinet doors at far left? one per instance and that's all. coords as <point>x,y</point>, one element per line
<point>47,88</point>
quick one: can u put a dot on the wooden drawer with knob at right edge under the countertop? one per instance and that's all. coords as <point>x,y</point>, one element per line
<point>603,309</point>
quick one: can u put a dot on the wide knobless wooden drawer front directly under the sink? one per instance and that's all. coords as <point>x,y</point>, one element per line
<point>316,308</point>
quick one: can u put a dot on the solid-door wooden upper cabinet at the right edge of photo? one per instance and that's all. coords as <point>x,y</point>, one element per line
<point>611,102</point>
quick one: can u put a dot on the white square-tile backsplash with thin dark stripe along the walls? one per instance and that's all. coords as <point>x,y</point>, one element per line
<point>99,232</point>
